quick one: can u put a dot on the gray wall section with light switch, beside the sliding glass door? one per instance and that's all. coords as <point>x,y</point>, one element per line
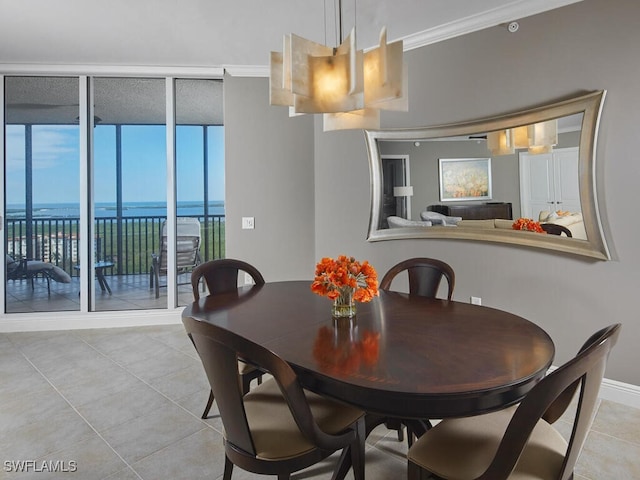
<point>269,176</point>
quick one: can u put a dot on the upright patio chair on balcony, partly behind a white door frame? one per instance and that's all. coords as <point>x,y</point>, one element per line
<point>187,251</point>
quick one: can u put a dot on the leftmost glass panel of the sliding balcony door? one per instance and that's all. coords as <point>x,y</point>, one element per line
<point>41,193</point>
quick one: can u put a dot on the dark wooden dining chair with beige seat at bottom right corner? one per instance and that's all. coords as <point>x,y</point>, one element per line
<point>519,442</point>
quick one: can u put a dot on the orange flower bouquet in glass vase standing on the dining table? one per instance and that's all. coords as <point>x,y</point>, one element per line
<point>345,281</point>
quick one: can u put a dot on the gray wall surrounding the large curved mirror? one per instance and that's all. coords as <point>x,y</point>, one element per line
<point>588,46</point>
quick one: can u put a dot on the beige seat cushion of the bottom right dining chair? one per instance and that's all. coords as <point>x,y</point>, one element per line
<point>463,448</point>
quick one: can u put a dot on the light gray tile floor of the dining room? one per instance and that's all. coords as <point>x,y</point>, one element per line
<point>125,404</point>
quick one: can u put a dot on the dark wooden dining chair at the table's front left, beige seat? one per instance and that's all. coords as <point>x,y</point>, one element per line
<point>277,428</point>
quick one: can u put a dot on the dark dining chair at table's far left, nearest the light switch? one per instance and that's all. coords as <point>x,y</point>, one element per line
<point>221,276</point>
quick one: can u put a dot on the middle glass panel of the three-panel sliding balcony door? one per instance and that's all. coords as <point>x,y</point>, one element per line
<point>130,185</point>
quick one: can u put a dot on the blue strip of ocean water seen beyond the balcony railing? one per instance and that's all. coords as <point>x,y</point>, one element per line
<point>103,210</point>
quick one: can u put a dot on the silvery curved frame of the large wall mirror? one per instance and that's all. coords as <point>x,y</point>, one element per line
<point>590,105</point>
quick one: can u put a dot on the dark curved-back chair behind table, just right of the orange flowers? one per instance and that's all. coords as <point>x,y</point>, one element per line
<point>425,275</point>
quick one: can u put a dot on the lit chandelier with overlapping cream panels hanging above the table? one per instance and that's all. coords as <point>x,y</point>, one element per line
<point>347,85</point>
